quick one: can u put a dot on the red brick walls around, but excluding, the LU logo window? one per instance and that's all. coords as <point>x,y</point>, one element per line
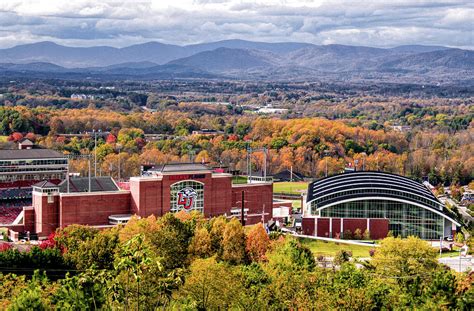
<point>147,196</point>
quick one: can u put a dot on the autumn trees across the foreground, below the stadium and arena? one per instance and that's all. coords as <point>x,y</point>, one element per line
<point>183,261</point>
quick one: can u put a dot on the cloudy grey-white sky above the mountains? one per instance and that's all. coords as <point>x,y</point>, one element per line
<point>379,23</point>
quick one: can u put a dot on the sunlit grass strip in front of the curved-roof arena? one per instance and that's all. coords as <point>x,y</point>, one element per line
<point>330,248</point>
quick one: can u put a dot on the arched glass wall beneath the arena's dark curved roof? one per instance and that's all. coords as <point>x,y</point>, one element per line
<point>404,219</point>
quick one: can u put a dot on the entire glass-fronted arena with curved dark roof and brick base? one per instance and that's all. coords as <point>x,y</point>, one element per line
<point>374,201</point>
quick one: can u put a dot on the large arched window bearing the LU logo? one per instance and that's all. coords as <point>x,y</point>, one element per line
<point>187,195</point>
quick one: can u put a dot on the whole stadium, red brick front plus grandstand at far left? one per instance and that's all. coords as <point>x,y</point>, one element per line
<point>37,208</point>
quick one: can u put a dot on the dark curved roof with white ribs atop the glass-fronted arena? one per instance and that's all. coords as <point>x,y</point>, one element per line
<point>367,184</point>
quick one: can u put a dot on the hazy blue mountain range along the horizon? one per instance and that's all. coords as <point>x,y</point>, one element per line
<point>239,59</point>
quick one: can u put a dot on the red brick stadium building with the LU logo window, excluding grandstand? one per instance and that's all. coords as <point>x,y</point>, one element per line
<point>168,188</point>
